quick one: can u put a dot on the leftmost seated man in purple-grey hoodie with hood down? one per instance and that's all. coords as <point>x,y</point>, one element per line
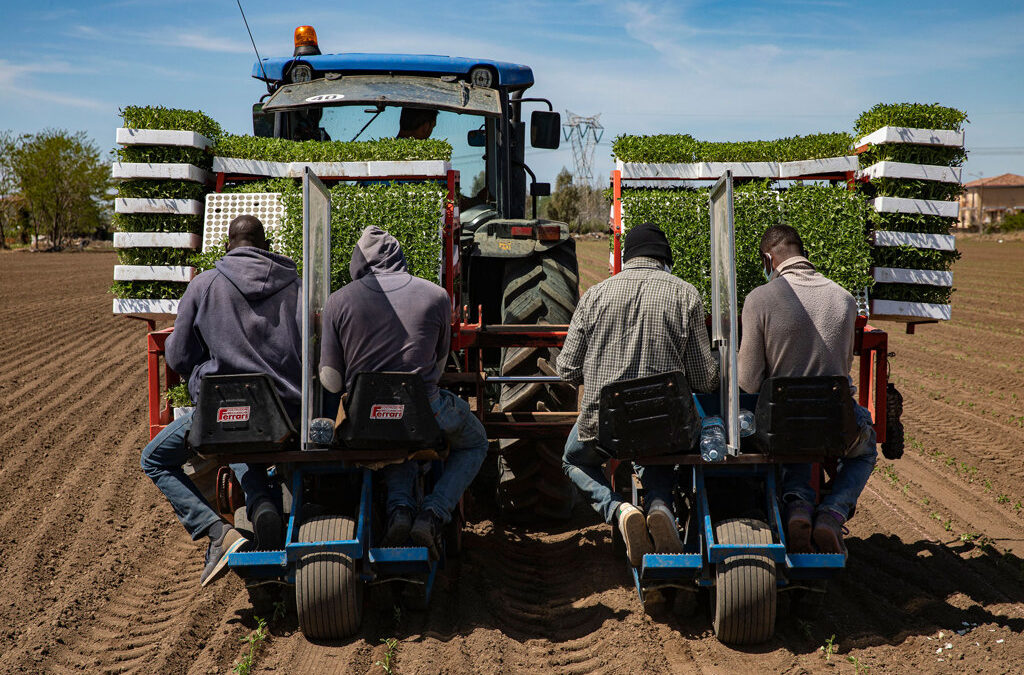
<point>243,317</point>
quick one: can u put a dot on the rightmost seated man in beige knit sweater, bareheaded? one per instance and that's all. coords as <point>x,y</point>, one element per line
<point>802,324</point>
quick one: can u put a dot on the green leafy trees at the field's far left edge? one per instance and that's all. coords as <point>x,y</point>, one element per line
<point>54,187</point>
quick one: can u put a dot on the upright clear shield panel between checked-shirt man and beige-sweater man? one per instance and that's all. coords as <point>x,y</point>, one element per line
<point>723,300</point>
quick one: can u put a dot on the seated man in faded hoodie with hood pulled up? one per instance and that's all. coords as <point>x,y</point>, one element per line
<point>389,321</point>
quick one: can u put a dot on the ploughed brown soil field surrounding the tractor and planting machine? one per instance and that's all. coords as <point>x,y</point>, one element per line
<point>98,576</point>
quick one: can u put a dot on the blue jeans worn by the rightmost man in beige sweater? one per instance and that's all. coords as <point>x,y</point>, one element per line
<point>855,470</point>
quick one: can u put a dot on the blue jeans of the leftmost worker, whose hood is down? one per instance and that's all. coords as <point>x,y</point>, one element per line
<point>162,461</point>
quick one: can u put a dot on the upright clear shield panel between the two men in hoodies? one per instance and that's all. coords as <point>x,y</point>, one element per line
<point>316,289</point>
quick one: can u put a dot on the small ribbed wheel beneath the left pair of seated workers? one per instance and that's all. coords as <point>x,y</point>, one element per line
<point>328,589</point>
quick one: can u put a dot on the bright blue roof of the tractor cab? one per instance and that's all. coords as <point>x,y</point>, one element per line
<point>510,76</point>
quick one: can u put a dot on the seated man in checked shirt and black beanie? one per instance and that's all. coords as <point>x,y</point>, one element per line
<point>642,322</point>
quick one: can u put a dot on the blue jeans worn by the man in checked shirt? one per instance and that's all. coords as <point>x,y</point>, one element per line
<point>582,465</point>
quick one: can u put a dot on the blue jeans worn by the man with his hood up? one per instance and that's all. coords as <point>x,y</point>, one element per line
<point>468,448</point>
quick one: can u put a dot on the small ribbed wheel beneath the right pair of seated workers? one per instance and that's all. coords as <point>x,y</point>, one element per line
<point>745,596</point>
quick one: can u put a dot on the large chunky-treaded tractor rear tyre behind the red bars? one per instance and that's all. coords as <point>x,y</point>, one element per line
<point>541,289</point>
